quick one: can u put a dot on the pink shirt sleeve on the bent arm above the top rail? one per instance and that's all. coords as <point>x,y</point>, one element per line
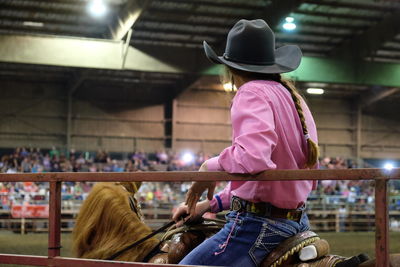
<point>254,136</point>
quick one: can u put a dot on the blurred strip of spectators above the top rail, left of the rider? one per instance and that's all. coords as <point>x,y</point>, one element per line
<point>37,160</point>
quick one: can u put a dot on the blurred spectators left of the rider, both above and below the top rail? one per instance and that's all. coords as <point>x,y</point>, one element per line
<point>35,160</point>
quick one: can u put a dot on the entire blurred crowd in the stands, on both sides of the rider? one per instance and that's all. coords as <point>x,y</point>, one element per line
<point>54,160</point>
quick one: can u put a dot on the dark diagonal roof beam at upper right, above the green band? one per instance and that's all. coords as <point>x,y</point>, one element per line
<point>371,40</point>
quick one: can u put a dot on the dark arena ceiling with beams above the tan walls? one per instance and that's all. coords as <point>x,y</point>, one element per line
<point>170,34</point>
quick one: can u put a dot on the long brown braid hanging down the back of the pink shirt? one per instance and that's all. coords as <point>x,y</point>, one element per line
<point>313,151</point>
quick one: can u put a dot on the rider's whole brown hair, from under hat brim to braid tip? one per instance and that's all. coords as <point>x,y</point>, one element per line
<point>312,147</point>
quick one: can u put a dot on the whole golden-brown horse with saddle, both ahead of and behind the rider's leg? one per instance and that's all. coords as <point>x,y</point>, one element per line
<point>110,220</point>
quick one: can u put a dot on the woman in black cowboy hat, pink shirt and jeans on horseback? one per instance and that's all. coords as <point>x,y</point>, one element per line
<point>272,129</point>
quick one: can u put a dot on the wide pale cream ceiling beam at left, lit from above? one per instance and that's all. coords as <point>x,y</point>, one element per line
<point>76,52</point>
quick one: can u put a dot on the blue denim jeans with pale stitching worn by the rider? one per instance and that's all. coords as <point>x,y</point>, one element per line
<point>245,240</point>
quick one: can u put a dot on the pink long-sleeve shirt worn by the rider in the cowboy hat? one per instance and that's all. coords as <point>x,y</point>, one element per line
<point>266,134</point>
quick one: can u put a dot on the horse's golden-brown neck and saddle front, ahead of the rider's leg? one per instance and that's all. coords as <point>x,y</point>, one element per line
<point>110,220</point>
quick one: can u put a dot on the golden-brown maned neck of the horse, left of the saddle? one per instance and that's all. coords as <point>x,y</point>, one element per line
<point>106,224</point>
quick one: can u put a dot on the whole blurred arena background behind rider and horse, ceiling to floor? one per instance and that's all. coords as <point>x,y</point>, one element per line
<point>123,86</point>
